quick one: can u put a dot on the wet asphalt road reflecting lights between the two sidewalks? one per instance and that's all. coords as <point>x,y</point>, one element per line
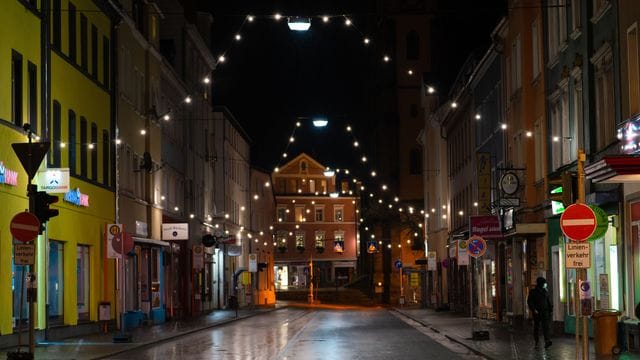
<point>308,334</point>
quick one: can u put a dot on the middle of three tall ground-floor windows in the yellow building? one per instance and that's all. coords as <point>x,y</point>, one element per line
<point>56,282</point>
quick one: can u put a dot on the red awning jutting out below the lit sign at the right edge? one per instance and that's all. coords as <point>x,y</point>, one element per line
<point>614,169</point>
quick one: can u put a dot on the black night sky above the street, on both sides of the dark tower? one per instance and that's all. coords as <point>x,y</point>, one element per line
<point>274,75</point>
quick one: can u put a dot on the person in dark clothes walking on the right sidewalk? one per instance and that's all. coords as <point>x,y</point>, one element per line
<point>541,307</point>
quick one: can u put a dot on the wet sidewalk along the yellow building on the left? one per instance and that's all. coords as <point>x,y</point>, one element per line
<point>100,345</point>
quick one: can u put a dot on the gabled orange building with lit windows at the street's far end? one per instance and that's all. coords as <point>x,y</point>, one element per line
<point>315,221</point>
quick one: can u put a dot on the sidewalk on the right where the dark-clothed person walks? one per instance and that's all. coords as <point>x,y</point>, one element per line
<point>505,342</point>
